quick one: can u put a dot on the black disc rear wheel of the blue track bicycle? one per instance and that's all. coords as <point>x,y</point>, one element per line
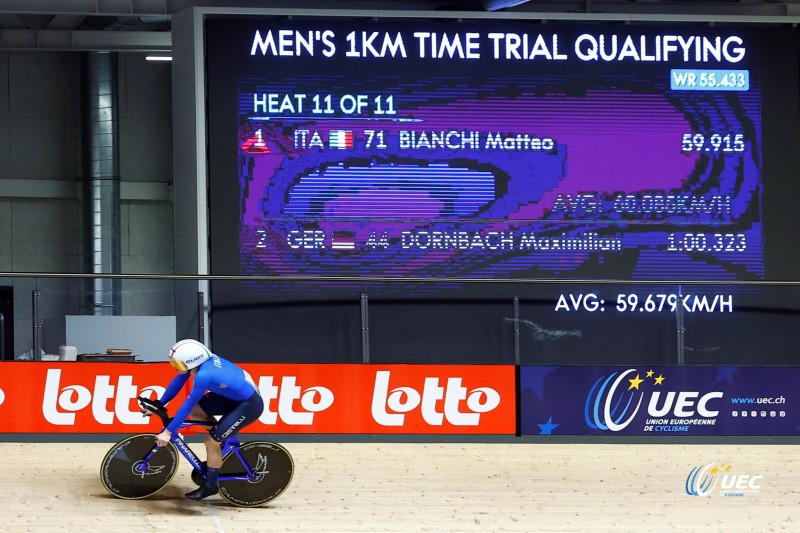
<point>273,469</point>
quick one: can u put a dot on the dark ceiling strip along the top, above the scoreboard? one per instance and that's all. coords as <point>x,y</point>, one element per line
<point>145,24</point>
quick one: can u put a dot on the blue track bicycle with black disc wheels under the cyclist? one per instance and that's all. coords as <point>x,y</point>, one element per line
<point>252,473</point>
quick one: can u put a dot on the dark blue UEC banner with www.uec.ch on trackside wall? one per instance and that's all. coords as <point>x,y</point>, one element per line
<point>579,400</point>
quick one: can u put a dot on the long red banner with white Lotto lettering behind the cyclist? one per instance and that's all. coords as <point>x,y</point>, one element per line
<point>82,397</point>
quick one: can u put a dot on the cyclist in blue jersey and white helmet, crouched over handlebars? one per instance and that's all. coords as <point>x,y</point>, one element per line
<point>220,388</point>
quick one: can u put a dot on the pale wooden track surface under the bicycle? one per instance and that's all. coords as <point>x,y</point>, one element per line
<point>49,487</point>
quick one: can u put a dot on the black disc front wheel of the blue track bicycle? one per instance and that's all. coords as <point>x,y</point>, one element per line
<point>120,470</point>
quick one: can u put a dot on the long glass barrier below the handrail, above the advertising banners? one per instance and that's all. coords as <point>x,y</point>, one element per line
<point>395,320</point>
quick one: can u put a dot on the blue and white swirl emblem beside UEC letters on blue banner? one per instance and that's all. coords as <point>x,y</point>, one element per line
<point>608,410</point>
